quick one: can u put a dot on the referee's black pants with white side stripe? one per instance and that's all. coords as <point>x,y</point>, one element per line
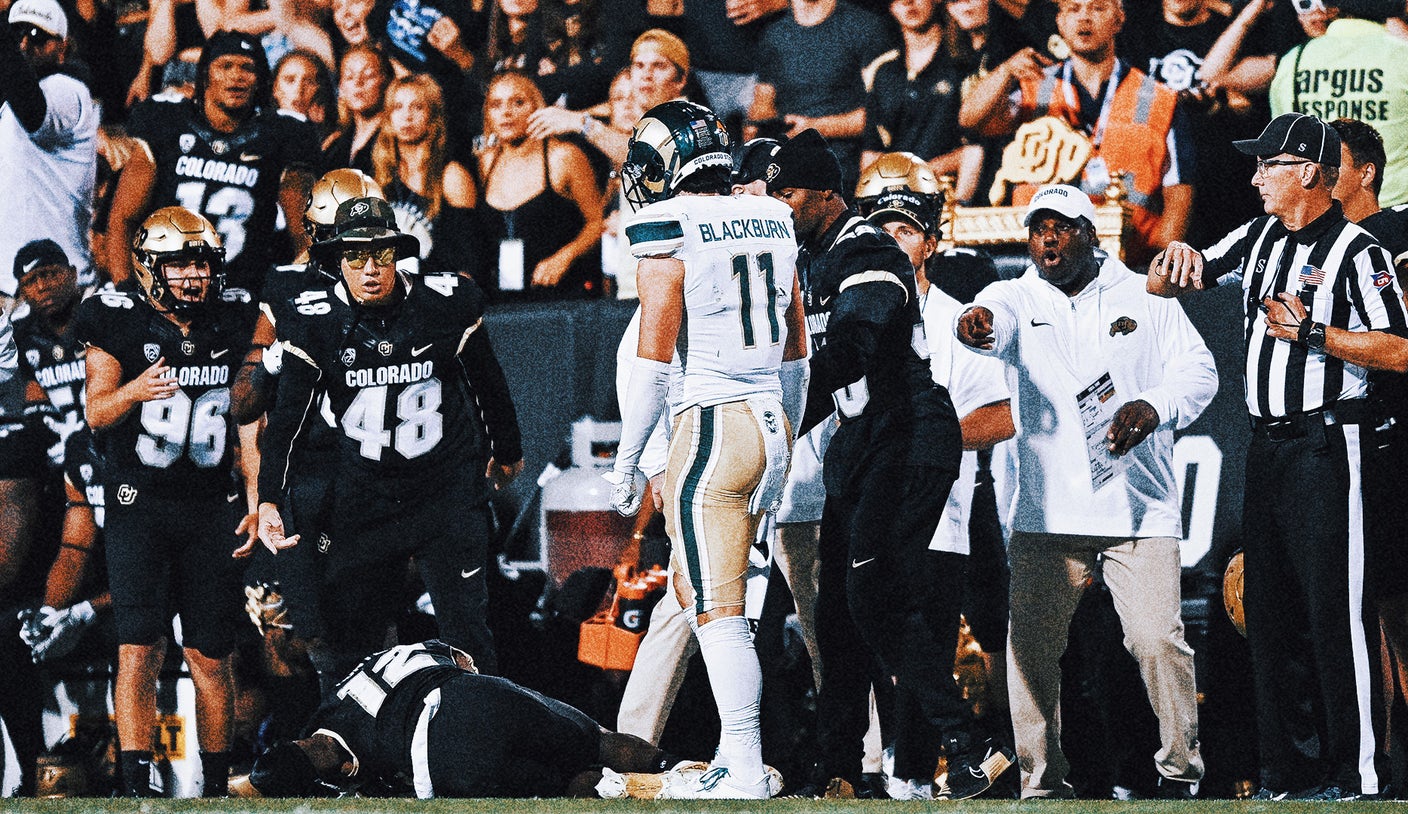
<point>1312,629</point>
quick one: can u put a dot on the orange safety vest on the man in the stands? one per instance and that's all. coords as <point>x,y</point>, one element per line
<point>1136,143</point>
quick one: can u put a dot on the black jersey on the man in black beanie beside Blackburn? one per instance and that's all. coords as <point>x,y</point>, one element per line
<point>869,350</point>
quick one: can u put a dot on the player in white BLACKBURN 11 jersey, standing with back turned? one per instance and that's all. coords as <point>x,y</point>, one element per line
<point>717,281</point>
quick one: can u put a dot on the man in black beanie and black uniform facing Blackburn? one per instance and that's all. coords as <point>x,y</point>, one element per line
<point>888,471</point>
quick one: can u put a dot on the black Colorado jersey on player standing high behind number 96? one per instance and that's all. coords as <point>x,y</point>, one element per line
<point>232,178</point>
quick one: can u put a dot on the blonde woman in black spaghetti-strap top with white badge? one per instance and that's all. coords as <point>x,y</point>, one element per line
<point>541,201</point>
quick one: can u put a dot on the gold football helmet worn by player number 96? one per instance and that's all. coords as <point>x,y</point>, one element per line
<point>177,234</point>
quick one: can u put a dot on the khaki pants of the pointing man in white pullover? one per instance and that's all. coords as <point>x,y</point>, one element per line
<point>1050,574</point>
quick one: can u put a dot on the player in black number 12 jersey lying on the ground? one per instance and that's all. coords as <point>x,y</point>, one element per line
<point>419,718</point>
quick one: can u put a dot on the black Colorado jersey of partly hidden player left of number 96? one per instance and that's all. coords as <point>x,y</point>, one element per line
<point>57,364</point>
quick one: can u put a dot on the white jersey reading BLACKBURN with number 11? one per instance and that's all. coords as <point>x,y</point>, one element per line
<point>740,257</point>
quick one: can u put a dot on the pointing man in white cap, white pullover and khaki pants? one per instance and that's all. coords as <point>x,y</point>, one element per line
<point>1102,374</point>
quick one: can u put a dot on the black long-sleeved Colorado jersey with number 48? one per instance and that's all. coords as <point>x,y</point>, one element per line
<point>413,388</point>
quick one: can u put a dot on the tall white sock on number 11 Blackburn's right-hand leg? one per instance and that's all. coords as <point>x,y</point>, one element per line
<point>738,688</point>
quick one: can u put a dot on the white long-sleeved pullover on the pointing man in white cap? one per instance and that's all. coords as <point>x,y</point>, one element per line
<point>1057,347</point>
